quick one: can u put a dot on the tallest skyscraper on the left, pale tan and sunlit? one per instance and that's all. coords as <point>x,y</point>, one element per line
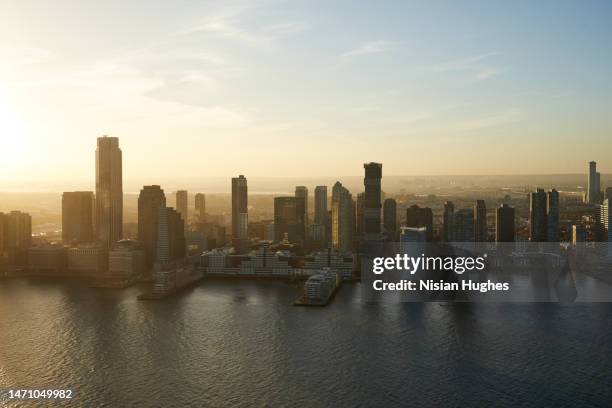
<point>109,191</point>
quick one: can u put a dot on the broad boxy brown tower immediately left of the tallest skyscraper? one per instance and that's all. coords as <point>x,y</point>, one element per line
<point>78,217</point>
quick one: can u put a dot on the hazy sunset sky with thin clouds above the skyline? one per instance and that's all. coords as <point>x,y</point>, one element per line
<point>304,88</point>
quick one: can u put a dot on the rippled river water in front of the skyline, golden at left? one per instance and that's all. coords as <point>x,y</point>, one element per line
<point>244,344</point>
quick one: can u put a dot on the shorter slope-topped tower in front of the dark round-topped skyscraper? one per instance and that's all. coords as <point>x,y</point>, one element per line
<point>170,235</point>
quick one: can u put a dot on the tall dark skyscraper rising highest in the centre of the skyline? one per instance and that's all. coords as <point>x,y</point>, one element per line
<point>372,201</point>
